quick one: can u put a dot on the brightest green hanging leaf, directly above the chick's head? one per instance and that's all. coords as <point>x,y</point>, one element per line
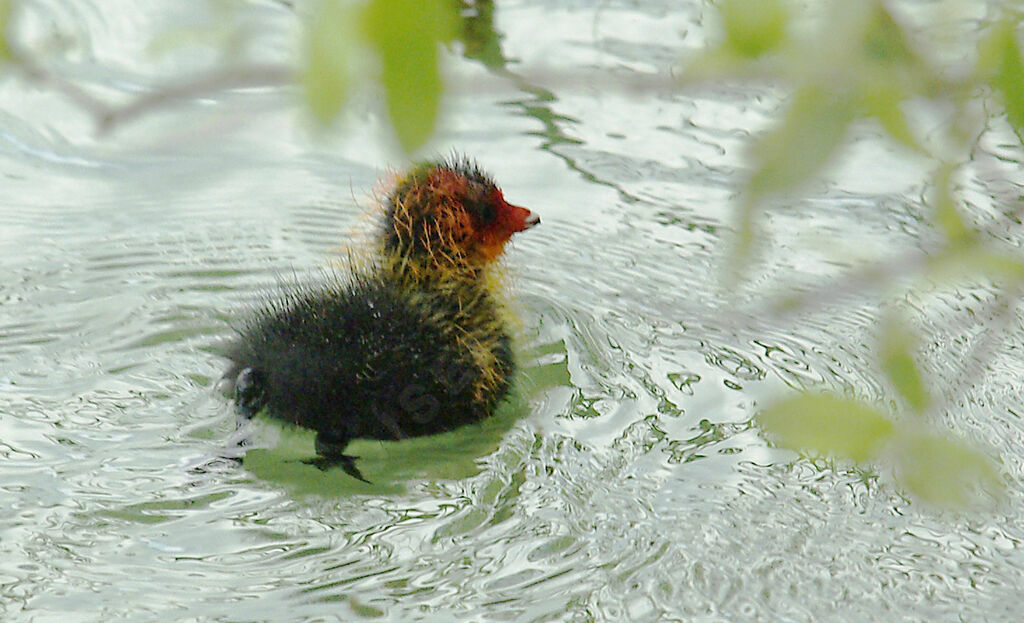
<point>407,35</point>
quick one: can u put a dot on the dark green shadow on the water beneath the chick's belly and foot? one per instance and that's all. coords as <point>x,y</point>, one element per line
<point>390,467</point>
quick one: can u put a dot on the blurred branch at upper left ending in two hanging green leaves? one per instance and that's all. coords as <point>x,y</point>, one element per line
<point>394,44</point>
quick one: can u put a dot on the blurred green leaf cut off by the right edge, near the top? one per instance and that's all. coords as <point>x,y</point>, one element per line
<point>1001,57</point>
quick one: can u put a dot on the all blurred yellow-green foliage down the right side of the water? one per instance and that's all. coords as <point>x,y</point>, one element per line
<point>859,63</point>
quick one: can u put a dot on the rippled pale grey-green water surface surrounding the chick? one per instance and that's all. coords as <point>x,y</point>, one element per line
<point>625,482</point>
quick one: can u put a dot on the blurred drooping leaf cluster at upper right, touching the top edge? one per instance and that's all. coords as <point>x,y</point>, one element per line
<point>859,64</point>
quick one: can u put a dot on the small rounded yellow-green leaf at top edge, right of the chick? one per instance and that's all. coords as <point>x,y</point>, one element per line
<point>754,27</point>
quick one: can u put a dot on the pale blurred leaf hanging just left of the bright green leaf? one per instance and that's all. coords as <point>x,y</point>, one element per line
<point>329,46</point>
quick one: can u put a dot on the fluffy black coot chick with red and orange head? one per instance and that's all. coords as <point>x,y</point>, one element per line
<point>409,342</point>
